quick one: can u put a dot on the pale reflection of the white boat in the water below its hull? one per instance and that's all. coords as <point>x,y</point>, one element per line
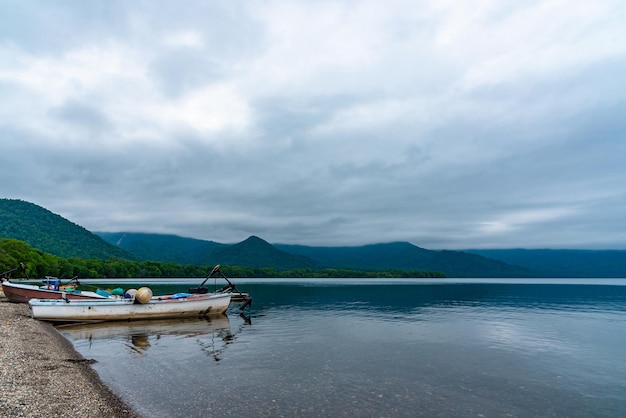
<point>156,327</point>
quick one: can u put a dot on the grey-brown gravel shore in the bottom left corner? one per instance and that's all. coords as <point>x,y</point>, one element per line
<point>41,375</point>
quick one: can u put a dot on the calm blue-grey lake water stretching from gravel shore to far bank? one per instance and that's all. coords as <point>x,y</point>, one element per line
<point>372,348</point>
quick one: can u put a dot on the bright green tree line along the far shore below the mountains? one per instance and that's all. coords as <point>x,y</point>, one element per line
<point>39,264</point>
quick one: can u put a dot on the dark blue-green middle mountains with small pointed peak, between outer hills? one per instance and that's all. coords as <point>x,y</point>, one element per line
<point>255,252</point>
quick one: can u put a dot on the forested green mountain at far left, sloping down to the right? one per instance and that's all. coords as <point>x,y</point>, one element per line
<point>52,233</point>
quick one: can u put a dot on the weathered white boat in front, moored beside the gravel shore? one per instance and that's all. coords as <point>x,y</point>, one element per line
<point>99,310</point>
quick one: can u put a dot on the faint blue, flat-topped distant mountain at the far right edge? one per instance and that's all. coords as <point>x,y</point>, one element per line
<point>563,263</point>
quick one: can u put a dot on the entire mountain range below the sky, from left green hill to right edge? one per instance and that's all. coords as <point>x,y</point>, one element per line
<point>56,235</point>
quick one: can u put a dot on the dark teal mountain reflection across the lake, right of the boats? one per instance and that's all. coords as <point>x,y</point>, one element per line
<point>411,298</point>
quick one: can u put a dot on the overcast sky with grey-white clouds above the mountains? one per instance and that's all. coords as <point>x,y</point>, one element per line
<point>447,124</point>
